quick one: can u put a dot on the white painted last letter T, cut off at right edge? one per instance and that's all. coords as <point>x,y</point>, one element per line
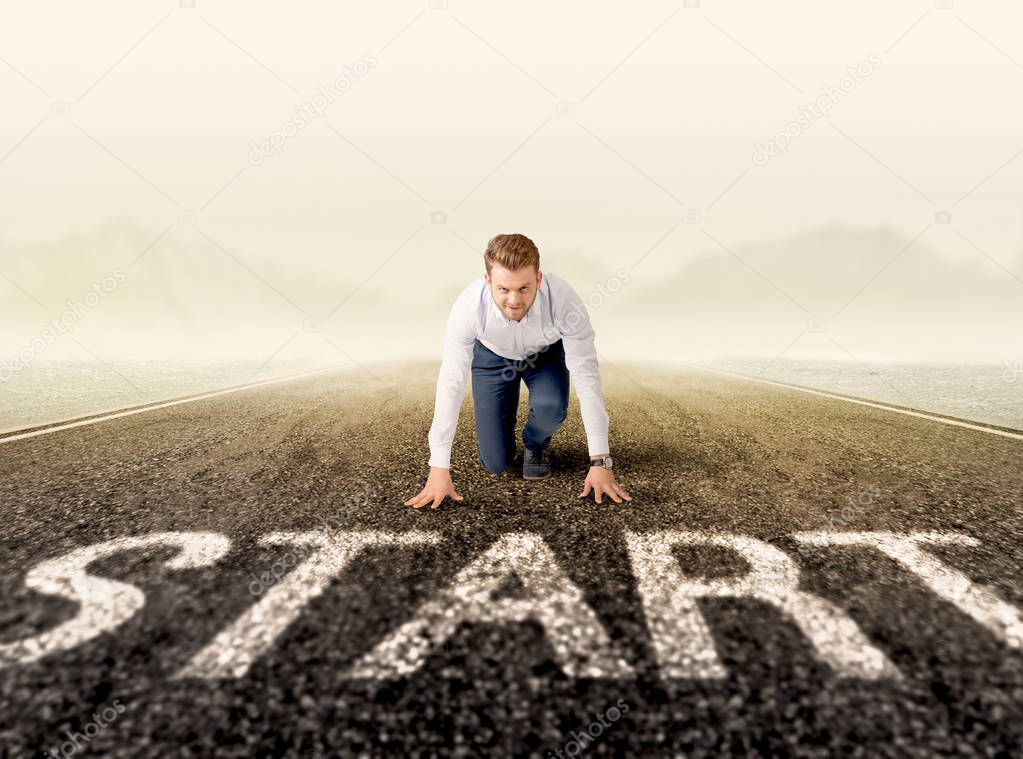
<point>976,601</point>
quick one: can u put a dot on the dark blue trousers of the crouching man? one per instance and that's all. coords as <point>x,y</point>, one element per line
<point>496,395</point>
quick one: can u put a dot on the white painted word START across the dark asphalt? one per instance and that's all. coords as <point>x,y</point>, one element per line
<point>682,641</point>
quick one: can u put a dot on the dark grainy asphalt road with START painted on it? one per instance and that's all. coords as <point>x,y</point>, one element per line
<point>513,622</point>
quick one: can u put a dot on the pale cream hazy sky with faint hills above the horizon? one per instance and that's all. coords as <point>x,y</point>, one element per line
<point>615,138</point>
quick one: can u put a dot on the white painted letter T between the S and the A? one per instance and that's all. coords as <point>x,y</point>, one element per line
<point>235,649</point>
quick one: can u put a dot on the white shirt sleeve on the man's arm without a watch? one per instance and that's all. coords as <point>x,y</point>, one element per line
<point>460,336</point>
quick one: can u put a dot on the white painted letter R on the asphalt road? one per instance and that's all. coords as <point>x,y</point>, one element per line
<point>682,640</point>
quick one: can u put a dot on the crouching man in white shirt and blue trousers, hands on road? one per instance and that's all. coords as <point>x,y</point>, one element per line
<point>516,325</point>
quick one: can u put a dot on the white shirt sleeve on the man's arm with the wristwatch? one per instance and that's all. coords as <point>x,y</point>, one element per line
<point>572,321</point>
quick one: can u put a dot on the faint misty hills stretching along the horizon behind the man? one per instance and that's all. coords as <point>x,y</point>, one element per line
<point>188,295</point>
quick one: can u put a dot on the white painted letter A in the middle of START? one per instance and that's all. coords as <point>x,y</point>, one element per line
<point>582,646</point>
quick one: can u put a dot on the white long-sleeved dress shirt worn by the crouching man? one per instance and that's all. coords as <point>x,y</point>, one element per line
<point>558,314</point>
